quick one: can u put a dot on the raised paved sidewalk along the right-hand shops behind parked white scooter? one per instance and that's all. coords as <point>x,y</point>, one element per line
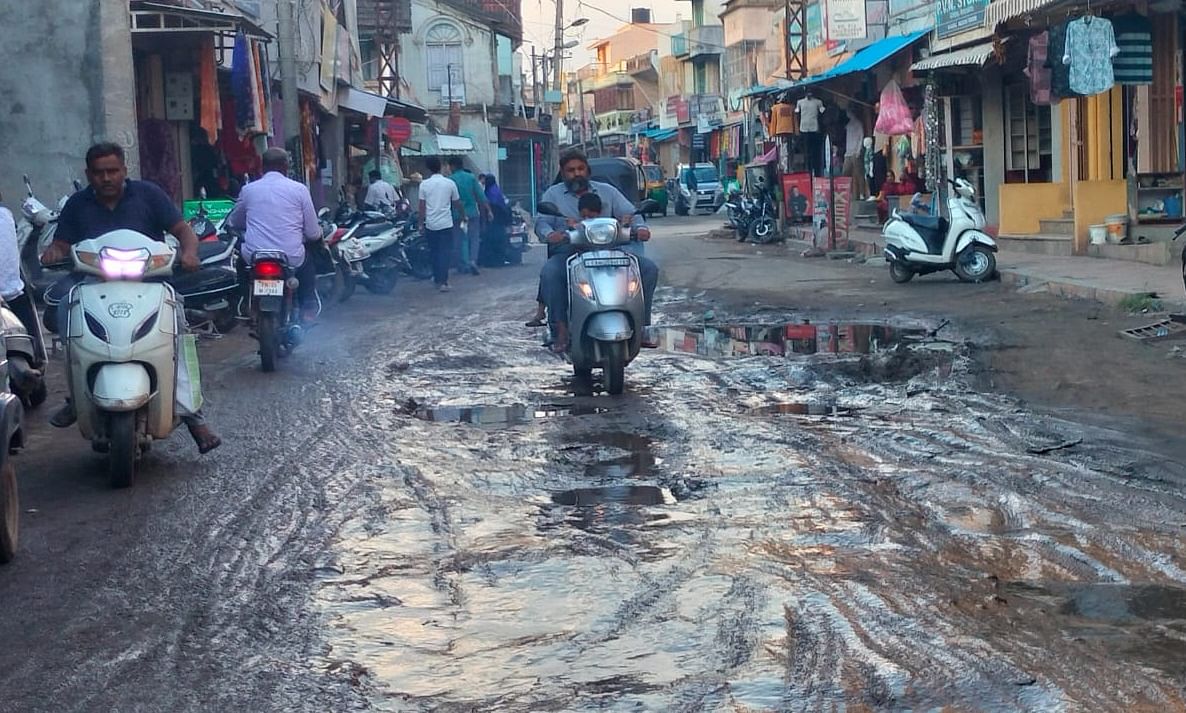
<point>1108,282</point>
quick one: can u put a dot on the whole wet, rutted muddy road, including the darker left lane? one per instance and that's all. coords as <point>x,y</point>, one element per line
<point>790,511</point>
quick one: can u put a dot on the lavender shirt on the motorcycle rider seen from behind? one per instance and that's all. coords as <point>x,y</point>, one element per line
<point>277,214</point>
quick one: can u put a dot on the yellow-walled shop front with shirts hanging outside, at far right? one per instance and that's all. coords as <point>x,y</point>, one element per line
<point>1093,147</point>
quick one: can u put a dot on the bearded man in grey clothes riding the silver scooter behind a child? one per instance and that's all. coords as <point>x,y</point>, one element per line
<point>575,170</point>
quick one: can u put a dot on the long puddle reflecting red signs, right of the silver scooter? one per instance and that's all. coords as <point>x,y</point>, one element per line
<point>787,340</point>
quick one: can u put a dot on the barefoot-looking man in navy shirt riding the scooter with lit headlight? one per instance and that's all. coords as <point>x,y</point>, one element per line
<point>114,202</point>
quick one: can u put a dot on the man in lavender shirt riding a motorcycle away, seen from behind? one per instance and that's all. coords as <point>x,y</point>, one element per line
<point>277,213</point>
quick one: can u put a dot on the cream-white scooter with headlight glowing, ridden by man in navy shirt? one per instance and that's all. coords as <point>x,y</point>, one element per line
<point>120,341</point>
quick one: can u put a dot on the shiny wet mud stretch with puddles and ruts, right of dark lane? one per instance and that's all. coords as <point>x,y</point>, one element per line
<point>780,517</point>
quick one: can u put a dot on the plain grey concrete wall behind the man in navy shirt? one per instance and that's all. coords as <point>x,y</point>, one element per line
<point>52,111</point>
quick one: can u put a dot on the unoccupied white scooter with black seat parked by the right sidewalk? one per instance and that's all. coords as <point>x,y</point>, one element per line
<point>919,245</point>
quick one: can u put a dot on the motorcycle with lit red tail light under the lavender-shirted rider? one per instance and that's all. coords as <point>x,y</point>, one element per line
<point>273,307</point>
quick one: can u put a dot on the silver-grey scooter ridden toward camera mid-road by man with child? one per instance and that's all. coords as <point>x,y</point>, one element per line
<point>605,297</point>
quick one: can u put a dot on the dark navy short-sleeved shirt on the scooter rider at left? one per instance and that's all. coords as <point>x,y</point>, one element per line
<point>144,208</point>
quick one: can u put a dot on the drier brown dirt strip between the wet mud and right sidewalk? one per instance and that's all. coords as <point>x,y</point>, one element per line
<point>1053,352</point>
